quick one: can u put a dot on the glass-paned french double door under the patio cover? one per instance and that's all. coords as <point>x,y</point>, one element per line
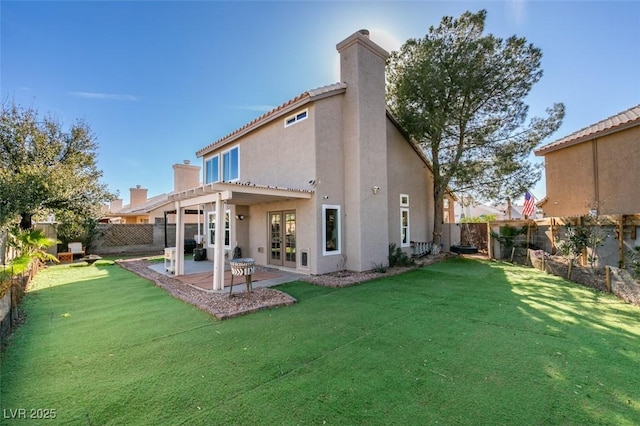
<point>282,238</point>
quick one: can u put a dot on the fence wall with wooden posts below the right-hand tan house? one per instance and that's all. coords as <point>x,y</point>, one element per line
<point>620,234</point>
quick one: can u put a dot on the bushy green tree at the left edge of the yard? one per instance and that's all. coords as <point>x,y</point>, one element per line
<point>44,169</point>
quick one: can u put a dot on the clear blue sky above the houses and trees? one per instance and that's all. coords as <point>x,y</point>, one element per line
<point>158,80</point>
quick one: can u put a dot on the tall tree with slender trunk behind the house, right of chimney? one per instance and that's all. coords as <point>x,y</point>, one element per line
<point>460,95</point>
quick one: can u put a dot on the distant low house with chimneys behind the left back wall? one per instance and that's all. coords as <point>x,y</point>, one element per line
<point>142,209</point>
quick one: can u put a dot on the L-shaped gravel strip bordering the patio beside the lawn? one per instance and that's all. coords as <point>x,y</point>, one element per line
<point>220,305</point>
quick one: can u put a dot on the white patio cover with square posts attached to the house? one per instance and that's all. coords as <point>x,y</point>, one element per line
<point>219,194</point>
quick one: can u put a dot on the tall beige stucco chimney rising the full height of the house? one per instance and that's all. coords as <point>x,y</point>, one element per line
<point>366,227</point>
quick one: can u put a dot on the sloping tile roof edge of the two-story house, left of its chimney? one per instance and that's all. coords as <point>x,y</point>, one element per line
<point>298,101</point>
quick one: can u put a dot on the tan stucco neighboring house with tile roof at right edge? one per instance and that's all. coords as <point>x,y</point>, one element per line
<point>596,169</point>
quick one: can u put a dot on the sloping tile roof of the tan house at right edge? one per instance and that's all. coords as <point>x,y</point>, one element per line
<point>615,123</point>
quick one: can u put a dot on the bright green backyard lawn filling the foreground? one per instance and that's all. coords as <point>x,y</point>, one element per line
<point>459,342</point>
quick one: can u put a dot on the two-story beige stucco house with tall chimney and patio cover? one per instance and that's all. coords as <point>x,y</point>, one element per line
<point>325,182</point>
